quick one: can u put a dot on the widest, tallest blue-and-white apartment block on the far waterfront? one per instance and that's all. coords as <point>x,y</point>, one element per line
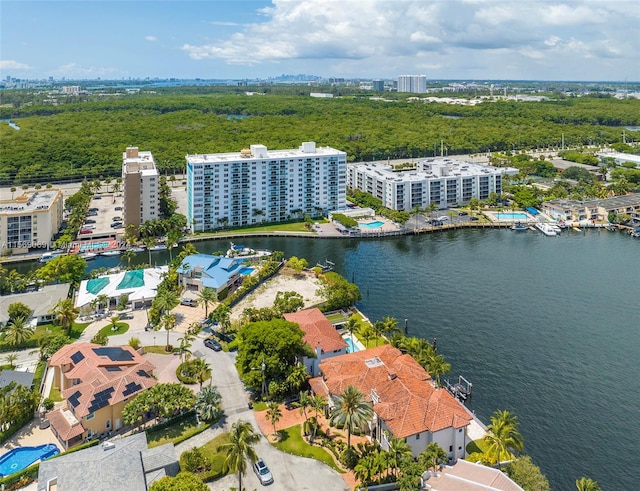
<point>256,185</point>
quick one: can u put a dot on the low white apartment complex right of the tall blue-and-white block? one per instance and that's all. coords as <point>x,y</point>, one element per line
<point>443,181</point>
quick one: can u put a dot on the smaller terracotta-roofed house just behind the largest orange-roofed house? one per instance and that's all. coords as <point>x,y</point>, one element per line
<point>320,335</point>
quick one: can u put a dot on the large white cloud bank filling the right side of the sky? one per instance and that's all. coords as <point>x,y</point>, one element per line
<point>452,36</point>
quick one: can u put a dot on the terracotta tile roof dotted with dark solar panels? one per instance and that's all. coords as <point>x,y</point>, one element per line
<point>123,375</point>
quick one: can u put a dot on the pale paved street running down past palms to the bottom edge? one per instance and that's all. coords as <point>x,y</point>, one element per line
<point>290,472</point>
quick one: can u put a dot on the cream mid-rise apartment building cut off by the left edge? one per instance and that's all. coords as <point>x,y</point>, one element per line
<point>30,220</point>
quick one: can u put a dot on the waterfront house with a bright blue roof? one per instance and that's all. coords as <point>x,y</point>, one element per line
<point>199,271</point>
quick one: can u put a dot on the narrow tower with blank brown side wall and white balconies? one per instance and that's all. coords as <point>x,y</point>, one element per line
<point>141,186</point>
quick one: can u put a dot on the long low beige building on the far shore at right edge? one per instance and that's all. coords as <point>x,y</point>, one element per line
<point>593,209</point>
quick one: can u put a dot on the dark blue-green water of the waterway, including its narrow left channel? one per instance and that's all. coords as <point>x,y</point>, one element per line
<point>546,327</point>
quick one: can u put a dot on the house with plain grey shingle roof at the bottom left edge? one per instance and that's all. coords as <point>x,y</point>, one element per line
<point>124,463</point>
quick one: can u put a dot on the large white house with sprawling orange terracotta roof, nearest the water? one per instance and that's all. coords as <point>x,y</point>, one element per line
<point>405,401</point>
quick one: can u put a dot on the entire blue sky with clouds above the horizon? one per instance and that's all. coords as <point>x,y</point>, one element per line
<point>588,40</point>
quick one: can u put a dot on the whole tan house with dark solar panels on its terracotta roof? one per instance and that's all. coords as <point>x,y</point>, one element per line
<point>96,381</point>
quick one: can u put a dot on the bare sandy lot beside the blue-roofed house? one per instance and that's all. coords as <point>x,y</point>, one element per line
<point>306,284</point>
